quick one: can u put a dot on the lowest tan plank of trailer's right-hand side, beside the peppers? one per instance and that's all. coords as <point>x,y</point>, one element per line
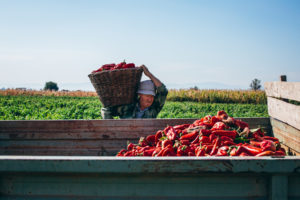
<point>286,134</point>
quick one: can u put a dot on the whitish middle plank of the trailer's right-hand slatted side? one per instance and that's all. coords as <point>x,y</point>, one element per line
<point>285,112</point>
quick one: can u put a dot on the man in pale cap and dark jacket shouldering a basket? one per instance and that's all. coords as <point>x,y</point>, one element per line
<point>151,99</point>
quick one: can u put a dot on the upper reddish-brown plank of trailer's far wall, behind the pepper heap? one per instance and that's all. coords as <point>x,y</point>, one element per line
<point>98,129</point>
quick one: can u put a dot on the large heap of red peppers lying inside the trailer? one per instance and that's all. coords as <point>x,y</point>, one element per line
<point>218,135</point>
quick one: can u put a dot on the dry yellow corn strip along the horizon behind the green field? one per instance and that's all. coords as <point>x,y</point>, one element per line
<point>193,95</point>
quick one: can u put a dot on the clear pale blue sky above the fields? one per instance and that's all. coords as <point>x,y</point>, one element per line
<point>204,43</point>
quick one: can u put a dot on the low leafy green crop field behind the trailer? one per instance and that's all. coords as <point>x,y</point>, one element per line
<point>64,107</point>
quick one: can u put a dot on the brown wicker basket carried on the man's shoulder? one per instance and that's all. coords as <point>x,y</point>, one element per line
<point>117,87</point>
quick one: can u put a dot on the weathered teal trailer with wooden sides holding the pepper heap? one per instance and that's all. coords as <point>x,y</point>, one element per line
<point>75,159</point>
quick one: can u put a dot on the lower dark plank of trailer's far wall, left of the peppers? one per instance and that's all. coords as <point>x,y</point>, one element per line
<point>63,147</point>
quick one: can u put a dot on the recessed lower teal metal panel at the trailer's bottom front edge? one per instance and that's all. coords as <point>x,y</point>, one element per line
<point>135,186</point>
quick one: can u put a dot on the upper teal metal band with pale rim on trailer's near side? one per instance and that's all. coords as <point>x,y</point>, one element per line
<point>130,165</point>
